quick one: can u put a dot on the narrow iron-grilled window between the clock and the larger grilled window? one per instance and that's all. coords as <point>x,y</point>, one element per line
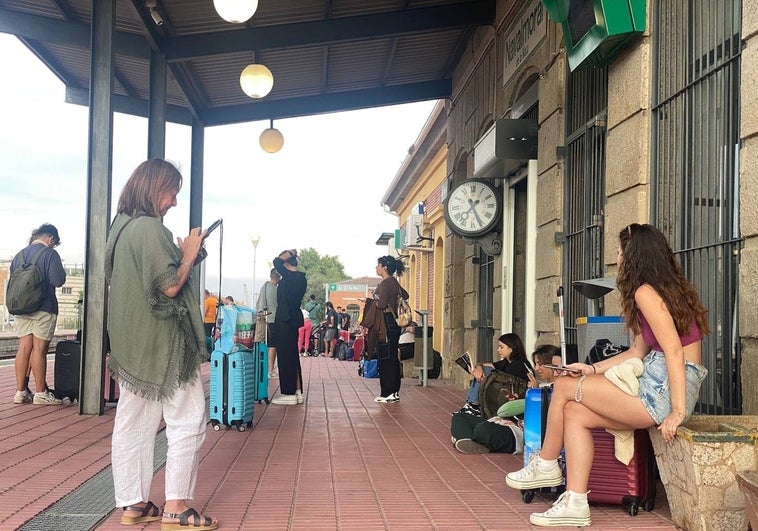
<point>584,185</point>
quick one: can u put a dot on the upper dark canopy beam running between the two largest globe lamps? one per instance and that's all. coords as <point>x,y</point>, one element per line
<point>320,32</point>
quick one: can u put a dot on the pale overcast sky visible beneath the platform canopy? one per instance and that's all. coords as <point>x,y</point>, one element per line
<point>327,181</point>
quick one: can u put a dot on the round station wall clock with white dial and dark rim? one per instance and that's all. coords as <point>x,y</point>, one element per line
<point>473,208</point>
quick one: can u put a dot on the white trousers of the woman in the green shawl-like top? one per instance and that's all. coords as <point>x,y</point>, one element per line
<point>133,443</point>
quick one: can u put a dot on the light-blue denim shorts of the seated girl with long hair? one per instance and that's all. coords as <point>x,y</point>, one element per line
<point>654,386</point>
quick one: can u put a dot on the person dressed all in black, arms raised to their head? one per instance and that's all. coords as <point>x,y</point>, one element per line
<point>289,318</point>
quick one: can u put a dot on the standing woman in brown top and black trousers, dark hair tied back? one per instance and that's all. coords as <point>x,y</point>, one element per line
<point>387,353</point>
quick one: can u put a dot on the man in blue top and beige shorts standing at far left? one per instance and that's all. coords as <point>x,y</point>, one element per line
<point>36,328</point>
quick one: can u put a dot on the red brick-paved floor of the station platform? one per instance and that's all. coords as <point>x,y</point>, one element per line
<point>339,462</point>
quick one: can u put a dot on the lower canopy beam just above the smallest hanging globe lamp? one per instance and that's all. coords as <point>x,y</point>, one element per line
<point>340,101</point>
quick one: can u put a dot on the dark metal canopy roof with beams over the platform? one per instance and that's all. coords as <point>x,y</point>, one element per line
<point>325,55</point>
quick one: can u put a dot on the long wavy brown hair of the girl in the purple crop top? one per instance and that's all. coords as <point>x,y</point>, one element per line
<point>648,259</point>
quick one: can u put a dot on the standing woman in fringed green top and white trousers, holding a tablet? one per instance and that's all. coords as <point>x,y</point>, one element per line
<point>157,345</point>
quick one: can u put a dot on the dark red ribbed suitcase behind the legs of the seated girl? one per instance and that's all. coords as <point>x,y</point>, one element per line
<point>611,481</point>
